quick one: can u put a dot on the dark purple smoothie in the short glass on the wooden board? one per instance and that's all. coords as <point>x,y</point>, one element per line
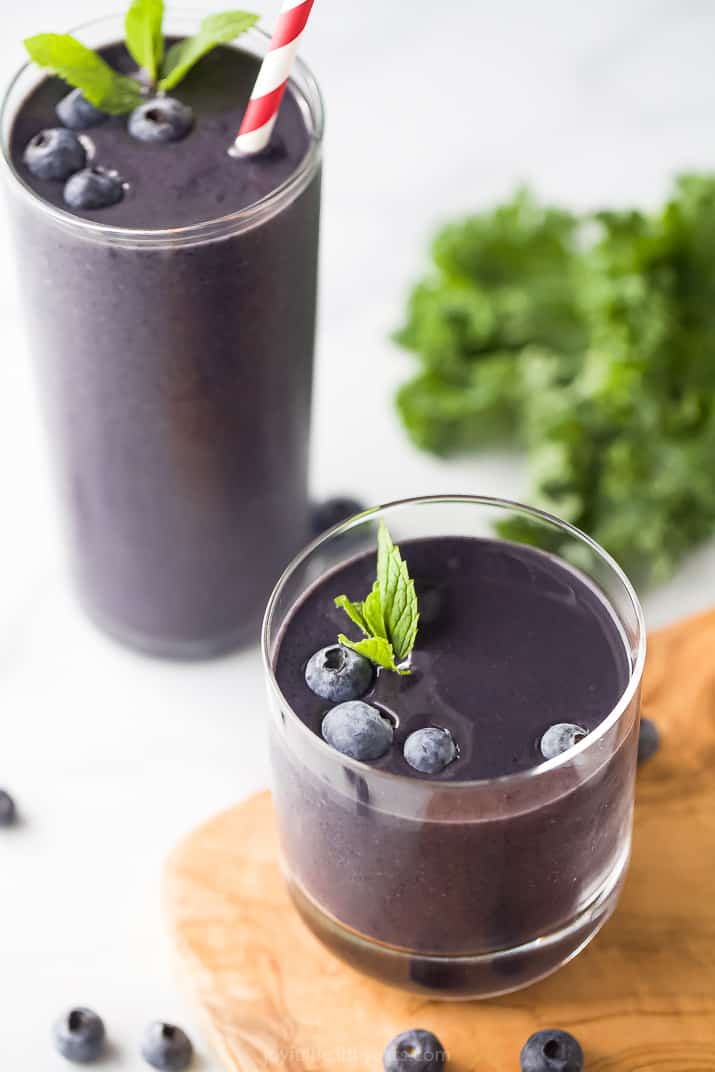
<point>511,643</point>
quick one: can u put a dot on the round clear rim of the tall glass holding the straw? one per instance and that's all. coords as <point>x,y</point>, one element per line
<point>190,234</point>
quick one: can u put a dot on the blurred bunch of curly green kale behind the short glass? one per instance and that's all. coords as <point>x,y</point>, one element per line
<point>589,343</point>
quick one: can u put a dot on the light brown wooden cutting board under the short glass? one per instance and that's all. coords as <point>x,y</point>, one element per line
<point>642,999</point>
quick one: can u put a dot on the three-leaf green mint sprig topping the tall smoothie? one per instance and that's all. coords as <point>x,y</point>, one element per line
<point>117,94</point>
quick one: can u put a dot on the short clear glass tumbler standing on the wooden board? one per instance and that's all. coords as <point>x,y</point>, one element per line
<point>461,888</point>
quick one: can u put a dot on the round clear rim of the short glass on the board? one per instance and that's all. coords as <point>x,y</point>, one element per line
<point>503,781</point>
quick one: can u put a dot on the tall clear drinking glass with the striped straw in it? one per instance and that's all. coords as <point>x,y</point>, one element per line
<point>176,371</point>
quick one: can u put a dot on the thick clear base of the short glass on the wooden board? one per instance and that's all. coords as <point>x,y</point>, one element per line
<point>464,978</point>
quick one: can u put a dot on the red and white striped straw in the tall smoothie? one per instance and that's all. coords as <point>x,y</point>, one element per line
<point>269,92</point>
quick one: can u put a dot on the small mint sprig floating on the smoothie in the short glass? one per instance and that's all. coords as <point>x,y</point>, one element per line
<point>390,615</point>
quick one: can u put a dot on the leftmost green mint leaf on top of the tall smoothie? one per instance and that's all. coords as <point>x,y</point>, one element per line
<point>82,68</point>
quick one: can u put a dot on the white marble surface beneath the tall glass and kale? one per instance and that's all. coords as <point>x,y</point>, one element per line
<point>114,757</point>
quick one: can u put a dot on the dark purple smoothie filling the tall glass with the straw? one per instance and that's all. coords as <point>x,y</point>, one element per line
<point>176,367</point>
